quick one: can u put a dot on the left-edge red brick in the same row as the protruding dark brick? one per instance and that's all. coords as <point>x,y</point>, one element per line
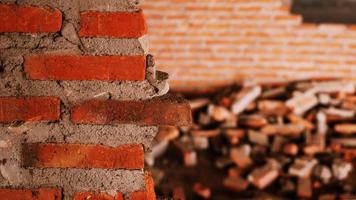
<point>29,109</point>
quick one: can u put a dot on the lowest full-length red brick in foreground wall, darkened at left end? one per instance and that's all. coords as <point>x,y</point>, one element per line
<point>83,156</point>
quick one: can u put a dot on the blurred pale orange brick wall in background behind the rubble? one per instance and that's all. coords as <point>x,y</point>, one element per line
<point>210,43</point>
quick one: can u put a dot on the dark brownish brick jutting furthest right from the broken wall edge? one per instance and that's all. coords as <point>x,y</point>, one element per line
<point>165,110</point>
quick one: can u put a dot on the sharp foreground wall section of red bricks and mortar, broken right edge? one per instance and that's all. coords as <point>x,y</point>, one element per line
<point>79,101</point>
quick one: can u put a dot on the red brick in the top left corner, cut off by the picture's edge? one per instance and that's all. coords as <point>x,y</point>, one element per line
<point>15,18</point>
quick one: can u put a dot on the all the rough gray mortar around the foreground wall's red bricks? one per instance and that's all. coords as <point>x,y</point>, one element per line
<point>13,82</point>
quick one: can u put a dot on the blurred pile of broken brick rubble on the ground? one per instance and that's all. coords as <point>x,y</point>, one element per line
<point>298,136</point>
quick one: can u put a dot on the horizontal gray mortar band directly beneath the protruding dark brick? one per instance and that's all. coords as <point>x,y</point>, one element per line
<point>65,132</point>
